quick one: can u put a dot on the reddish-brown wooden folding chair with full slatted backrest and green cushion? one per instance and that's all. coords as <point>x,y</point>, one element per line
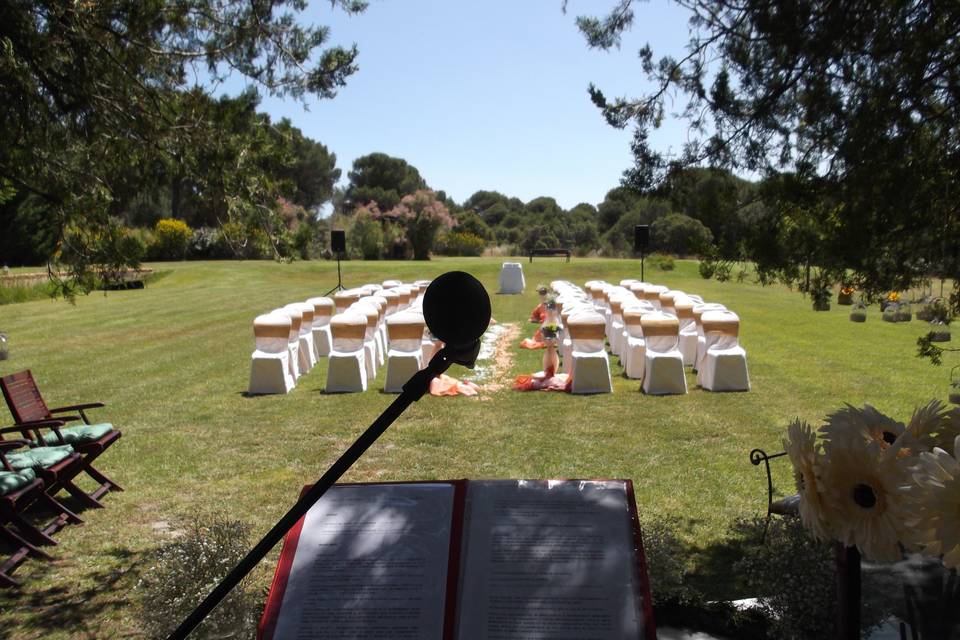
<point>31,414</point>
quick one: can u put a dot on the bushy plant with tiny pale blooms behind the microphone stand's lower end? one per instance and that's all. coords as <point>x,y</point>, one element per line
<point>181,573</point>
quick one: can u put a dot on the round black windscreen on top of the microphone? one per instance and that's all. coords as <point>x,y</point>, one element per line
<point>456,308</point>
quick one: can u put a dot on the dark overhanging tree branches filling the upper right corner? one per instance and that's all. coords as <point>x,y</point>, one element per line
<point>859,101</point>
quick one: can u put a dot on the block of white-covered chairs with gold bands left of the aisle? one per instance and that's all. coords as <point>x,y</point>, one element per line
<point>359,330</point>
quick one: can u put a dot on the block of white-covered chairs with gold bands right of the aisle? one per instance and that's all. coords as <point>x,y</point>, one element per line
<point>655,331</point>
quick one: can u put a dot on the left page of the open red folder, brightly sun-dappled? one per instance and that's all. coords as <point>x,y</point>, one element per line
<point>371,563</point>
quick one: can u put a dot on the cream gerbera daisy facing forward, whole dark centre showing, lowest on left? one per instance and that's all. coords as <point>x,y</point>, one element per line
<point>864,497</point>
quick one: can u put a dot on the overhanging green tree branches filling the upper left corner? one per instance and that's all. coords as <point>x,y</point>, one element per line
<point>92,90</point>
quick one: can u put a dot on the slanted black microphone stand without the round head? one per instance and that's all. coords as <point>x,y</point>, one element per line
<point>413,390</point>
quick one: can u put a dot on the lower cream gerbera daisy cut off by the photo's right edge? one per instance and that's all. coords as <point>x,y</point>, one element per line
<point>936,498</point>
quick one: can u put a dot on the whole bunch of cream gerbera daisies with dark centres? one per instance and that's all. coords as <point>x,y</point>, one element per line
<point>883,486</point>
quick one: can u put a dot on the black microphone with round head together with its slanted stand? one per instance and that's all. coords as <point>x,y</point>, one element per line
<point>456,309</point>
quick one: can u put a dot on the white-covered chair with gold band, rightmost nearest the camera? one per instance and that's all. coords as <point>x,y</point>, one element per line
<point>725,365</point>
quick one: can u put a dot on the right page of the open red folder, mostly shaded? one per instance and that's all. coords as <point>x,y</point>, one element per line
<point>549,560</point>
